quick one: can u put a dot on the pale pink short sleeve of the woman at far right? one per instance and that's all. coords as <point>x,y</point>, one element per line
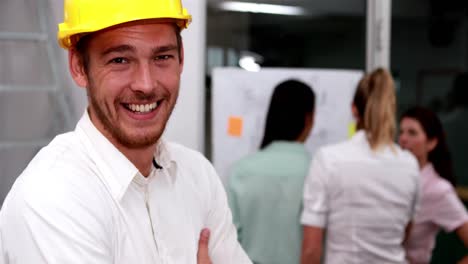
<point>449,212</point>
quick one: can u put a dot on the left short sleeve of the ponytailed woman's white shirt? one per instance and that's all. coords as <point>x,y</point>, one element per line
<point>315,199</point>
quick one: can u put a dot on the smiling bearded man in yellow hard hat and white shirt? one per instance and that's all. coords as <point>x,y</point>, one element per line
<point>113,191</point>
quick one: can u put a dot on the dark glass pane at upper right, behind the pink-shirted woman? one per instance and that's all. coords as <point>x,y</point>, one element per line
<point>429,50</point>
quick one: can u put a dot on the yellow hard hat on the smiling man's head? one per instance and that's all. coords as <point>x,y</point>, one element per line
<point>85,16</point>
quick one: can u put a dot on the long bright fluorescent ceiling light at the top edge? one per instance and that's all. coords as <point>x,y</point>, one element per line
<point>262,8</point>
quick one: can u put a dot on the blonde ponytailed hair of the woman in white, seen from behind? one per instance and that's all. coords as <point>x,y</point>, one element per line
<point>375,102</point>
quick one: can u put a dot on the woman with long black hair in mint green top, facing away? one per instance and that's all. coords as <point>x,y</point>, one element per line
<point>264,189</point>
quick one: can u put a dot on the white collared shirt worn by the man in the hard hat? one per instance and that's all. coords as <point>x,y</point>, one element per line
<point>80,200</point>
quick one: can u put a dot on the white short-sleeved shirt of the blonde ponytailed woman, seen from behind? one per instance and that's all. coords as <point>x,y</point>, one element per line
<point>364,200</point>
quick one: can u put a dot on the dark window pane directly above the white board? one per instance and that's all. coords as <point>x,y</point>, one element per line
<point>329,34</point>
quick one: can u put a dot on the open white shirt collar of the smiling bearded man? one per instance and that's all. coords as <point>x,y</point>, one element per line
<point>115,169</point>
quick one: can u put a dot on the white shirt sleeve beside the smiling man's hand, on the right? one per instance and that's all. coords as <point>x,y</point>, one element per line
<point>224,248</point>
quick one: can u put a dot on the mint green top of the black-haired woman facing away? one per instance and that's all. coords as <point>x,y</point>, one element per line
<point>265,194</point>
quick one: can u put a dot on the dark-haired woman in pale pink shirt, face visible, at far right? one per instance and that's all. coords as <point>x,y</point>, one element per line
<point>422,133</point>
